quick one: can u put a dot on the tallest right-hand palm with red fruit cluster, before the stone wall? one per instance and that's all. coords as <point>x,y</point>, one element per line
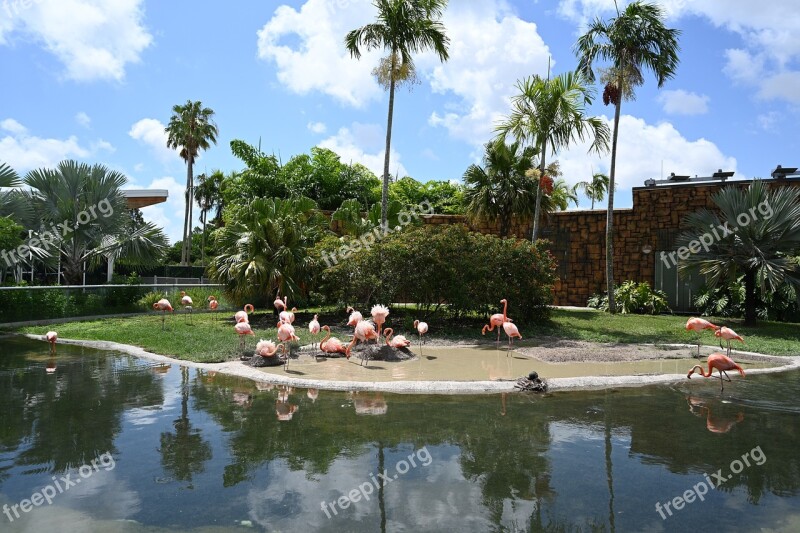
<point>634,41</point>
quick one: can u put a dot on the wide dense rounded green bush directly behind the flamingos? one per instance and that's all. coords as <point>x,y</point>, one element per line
<point>444,269</point>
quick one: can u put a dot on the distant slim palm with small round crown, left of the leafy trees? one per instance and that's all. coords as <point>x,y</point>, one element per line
<point>192,129</point>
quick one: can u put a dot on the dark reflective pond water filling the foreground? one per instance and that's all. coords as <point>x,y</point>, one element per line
<point>194,451</point>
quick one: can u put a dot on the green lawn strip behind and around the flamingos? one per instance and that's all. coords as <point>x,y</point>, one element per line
<point>210,338</point>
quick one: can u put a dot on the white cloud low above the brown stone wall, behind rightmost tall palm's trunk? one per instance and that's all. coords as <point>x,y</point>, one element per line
<point>642,149</point>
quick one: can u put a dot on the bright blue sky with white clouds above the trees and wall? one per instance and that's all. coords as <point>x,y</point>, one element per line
<point>95,81</point>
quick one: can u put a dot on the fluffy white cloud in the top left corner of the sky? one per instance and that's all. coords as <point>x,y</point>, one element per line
<point>94,39</point>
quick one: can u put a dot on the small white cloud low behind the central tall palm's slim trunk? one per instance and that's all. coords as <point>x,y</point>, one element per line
<point>352,144</point>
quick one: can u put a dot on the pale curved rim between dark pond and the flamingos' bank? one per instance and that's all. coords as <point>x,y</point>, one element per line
<point>236,368</point>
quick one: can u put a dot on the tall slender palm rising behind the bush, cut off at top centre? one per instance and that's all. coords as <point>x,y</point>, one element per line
<point>402,28</point>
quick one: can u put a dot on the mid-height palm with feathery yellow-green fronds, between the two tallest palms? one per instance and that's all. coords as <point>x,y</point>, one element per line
<point>550,114</point>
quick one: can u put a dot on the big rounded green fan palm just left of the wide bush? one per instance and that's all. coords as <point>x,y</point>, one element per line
<point>263,248</point>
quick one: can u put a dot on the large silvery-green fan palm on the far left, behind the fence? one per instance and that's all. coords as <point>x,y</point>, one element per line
<point>87,204</point>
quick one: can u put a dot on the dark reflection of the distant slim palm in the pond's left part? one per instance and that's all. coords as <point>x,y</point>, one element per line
<point>184,452</point>
